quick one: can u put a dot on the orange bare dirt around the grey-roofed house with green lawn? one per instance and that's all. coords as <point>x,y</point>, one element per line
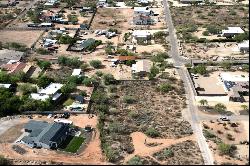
<point>91,155</point>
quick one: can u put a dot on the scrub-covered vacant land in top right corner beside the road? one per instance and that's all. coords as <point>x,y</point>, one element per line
<point>214,18</point>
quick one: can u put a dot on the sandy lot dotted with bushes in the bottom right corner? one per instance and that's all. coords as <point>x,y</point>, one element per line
<point>231,133</point>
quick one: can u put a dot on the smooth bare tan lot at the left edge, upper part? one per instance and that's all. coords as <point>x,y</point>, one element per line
<point>24,37</point>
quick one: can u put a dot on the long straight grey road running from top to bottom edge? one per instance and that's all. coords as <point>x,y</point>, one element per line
<point>178,61</point>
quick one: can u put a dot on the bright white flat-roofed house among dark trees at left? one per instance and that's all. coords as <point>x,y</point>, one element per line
<point>50,91</point>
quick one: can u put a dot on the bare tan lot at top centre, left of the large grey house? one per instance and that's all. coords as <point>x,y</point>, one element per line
<point>106,18</point>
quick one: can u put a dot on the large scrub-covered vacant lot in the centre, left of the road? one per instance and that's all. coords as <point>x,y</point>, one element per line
<point>137,106</point>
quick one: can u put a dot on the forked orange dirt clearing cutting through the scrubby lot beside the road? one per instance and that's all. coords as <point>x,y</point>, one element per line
<point>141,149</point>
